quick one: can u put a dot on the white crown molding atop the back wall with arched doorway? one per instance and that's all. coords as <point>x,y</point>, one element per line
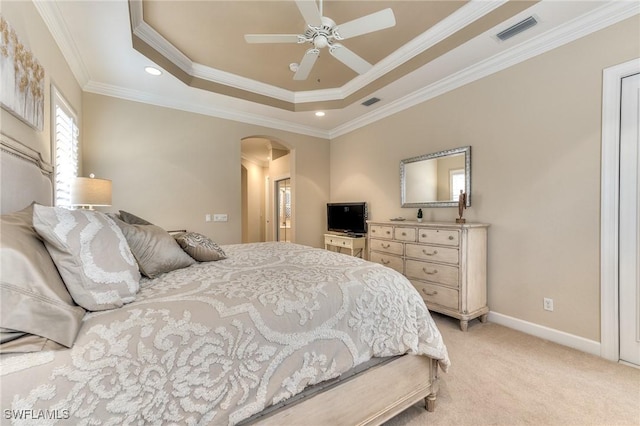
<point>224,113</point>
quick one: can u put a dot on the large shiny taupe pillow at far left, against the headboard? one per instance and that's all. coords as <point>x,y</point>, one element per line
<point>35,305</point>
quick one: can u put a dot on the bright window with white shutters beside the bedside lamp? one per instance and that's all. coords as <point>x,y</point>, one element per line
<point>65,147</point>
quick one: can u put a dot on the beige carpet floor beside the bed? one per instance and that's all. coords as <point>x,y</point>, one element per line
<point>500,376</point>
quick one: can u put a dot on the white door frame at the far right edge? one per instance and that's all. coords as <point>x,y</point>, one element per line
<point>610,207</point>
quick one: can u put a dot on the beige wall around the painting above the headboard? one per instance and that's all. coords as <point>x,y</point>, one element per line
<point>33,33</point>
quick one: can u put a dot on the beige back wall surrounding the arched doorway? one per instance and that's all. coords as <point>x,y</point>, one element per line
<point>173,167</point>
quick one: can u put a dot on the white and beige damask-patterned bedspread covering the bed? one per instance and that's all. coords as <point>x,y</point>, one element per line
<point>220,341</point>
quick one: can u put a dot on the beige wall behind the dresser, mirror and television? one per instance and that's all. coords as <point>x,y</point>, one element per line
<point>535,135</point>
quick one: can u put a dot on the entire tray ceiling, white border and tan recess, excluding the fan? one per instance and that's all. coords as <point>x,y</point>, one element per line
<point>435,47</point>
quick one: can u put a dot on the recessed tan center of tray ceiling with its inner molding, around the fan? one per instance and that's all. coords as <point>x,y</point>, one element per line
<point>209,35</point>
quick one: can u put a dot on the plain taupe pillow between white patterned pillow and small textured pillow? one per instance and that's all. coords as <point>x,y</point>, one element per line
<point>155,250</point>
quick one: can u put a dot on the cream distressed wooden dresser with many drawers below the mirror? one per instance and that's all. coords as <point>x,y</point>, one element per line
<point>446,262</point>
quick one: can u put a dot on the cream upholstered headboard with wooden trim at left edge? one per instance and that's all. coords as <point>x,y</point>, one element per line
<point>24,176</point>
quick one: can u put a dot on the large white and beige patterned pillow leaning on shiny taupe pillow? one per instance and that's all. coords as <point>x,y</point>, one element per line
<point>91,254</point>
